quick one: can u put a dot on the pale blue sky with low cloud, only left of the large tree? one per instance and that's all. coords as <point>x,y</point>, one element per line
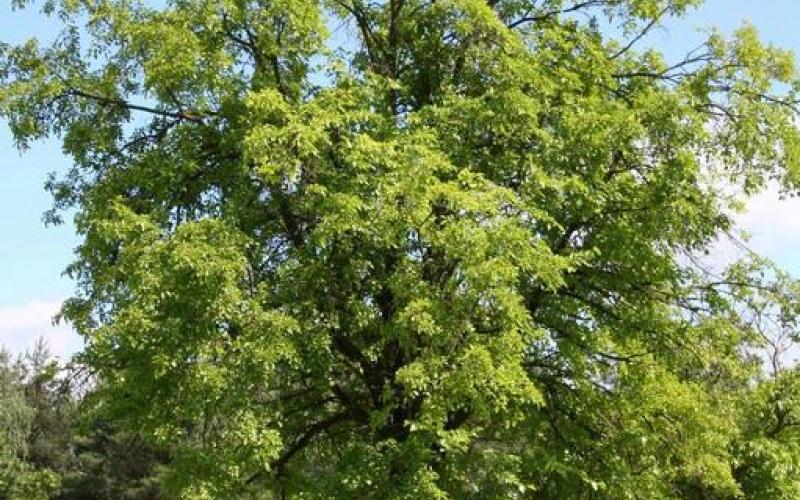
<point>32,257</point>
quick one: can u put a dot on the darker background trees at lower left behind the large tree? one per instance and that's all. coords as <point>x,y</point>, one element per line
<point>56,445</point>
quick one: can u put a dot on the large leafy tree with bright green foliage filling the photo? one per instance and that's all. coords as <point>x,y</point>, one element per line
<point>419,249</point>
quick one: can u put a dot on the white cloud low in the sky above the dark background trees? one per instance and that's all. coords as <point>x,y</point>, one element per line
<point>21,327</point>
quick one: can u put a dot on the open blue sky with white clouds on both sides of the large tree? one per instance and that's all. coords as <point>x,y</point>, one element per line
<point>32,256</point>
